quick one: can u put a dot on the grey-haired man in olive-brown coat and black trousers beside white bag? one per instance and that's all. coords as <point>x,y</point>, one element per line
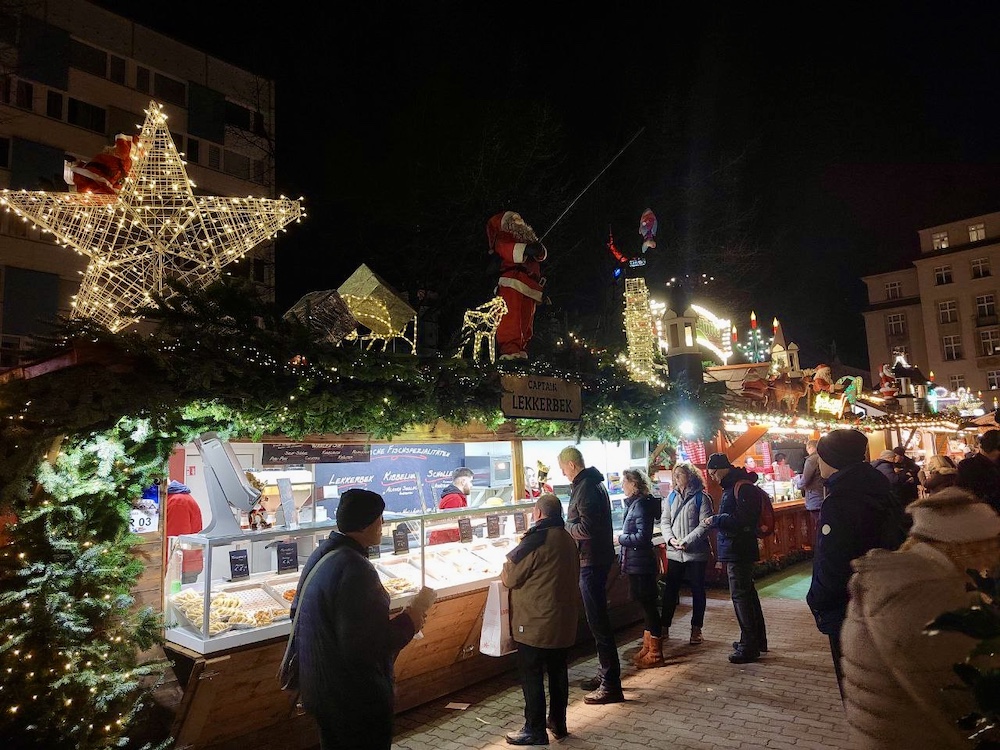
<point>542,574</point>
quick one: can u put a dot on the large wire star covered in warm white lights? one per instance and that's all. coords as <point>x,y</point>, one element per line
<point>152,231</point>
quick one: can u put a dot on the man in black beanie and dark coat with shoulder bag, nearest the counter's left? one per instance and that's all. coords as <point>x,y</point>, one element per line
<point>345,640</point>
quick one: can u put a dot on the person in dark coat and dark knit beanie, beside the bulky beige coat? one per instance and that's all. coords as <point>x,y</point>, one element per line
<point>859,514</point>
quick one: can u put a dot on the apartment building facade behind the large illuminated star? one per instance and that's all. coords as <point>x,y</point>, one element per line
<point>72,76</point>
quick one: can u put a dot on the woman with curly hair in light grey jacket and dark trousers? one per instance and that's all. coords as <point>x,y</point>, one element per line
<point>683,529</point>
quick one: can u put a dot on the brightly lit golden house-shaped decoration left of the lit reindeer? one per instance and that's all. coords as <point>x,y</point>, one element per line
<point>377,307</point>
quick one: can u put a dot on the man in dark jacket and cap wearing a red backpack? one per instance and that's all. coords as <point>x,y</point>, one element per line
<point>739,512</point>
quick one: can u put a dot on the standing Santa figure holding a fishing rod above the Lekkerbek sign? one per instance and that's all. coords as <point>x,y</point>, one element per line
<point>521,281</point>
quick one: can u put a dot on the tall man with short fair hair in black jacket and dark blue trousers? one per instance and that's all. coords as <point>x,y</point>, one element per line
<point>588,520</point>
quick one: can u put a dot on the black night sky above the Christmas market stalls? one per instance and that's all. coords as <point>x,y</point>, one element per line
<point>820,138</point>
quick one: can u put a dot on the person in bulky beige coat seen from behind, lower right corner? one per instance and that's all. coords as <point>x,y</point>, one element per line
<point>897,675</point>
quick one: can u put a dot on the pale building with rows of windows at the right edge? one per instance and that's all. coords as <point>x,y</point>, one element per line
<point>942,311</point>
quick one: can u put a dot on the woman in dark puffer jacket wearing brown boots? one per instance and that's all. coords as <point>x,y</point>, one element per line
<point>638,560</point>
